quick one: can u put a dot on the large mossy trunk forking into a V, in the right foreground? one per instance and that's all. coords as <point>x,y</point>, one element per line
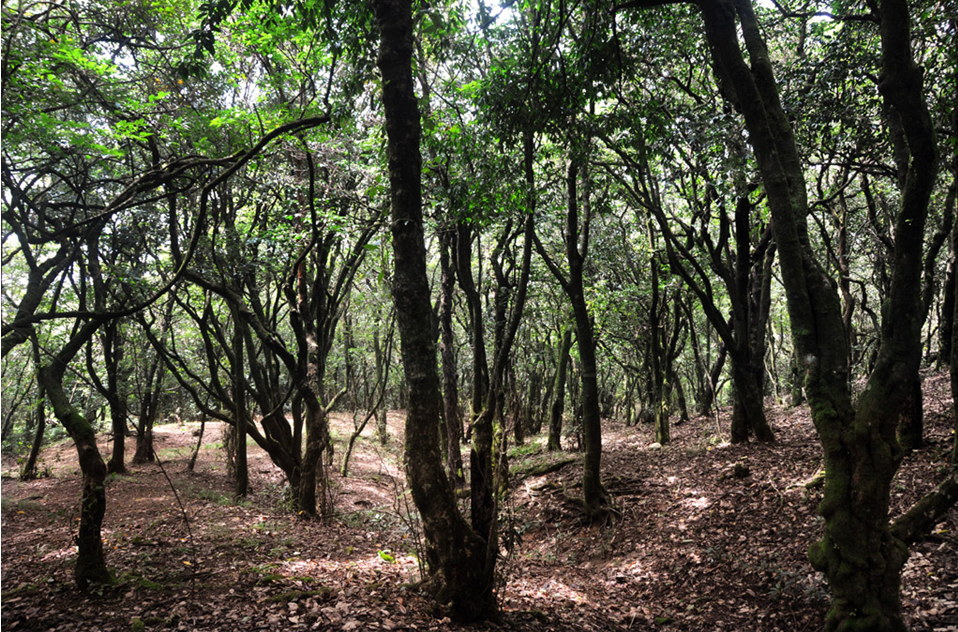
<point>858,553</point>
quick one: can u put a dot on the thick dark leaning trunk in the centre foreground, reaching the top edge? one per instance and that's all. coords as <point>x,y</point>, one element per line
<point>455,555</point>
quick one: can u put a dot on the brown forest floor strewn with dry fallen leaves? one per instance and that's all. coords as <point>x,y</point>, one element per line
<point>696,548</point>
